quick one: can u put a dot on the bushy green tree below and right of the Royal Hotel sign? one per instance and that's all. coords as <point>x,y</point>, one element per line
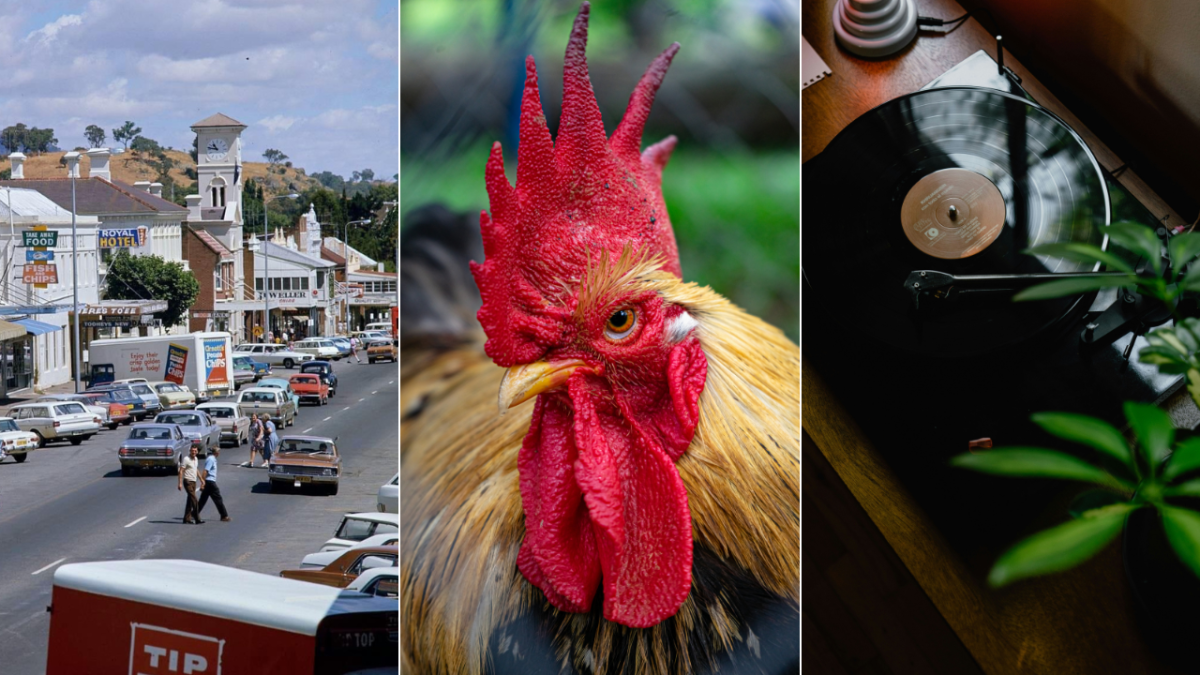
<point>140,278</point>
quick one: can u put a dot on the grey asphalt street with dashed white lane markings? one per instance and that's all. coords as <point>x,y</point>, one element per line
<point>70,504</point>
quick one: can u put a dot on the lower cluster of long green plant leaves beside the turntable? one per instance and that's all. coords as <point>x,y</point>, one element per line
<point>1145,475</point>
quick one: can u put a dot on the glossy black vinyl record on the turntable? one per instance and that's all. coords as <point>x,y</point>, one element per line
<point>959,181</point>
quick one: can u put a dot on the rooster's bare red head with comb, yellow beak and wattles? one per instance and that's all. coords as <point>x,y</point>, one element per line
<point>616,369</point>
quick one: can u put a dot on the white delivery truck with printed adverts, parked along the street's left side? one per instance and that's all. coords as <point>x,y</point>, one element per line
<point>201,361</point>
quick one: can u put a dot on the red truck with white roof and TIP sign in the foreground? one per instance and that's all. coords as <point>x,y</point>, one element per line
<point>185,617</point>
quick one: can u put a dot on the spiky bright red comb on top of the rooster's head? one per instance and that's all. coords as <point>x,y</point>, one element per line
<point>580,194</point>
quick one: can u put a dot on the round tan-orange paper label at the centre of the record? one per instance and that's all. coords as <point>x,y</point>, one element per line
<point>953,214</point>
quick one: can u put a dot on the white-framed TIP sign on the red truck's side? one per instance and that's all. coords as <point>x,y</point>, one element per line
<point>164,652</point>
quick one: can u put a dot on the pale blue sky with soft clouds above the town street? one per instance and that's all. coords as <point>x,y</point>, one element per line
<point>316,80</point>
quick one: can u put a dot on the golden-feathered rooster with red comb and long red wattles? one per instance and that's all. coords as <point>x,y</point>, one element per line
<point>643,515</point>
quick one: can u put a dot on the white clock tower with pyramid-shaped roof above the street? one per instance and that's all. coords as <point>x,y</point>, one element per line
<point>219,177</point>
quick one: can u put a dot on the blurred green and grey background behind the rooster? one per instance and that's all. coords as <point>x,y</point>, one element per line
<point>731,97</point>
